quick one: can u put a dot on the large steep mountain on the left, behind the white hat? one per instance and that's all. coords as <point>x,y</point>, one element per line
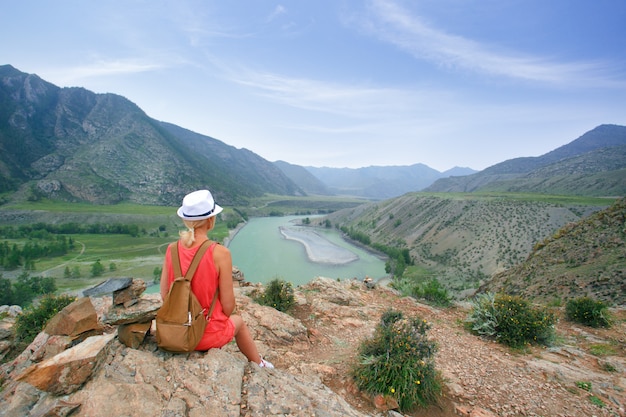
<point>75,145</point>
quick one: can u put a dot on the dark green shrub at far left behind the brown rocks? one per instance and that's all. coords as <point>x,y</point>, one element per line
<point>34,319</point>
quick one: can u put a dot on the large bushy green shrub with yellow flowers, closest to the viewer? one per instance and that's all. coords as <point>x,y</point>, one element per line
<point>398,361</point>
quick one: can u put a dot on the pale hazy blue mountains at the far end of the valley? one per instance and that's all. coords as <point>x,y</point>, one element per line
<point>380,182</point>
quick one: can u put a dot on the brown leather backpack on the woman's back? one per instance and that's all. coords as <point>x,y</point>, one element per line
<point>181,320</point>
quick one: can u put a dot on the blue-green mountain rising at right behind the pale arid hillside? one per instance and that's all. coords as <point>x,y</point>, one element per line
<point>593,165</point>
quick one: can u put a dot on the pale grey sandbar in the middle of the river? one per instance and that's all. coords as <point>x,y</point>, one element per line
<point>318,248</point>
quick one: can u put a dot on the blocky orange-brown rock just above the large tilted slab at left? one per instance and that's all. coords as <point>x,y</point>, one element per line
<point>76,318</point>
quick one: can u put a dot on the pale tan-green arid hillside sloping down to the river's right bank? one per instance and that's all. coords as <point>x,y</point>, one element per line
<point>464,239</point>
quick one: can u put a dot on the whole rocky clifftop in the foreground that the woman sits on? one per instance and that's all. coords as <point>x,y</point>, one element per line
<point>120,372</point>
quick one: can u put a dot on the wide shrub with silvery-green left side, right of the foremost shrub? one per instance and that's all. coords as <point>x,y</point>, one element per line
<point>511,320</point>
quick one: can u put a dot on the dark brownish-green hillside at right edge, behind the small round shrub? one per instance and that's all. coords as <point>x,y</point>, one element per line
<point>586,258</point>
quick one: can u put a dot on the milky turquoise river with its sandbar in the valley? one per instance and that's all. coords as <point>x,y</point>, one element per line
<point>275,247</point>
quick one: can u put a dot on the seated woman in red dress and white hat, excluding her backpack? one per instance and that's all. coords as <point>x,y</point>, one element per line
<point>198,213</point>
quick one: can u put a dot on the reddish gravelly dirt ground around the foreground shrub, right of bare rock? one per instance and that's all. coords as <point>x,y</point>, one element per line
<point>482,378</point>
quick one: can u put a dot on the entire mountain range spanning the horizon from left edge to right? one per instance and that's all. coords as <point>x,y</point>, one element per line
<point>75,145</point>
